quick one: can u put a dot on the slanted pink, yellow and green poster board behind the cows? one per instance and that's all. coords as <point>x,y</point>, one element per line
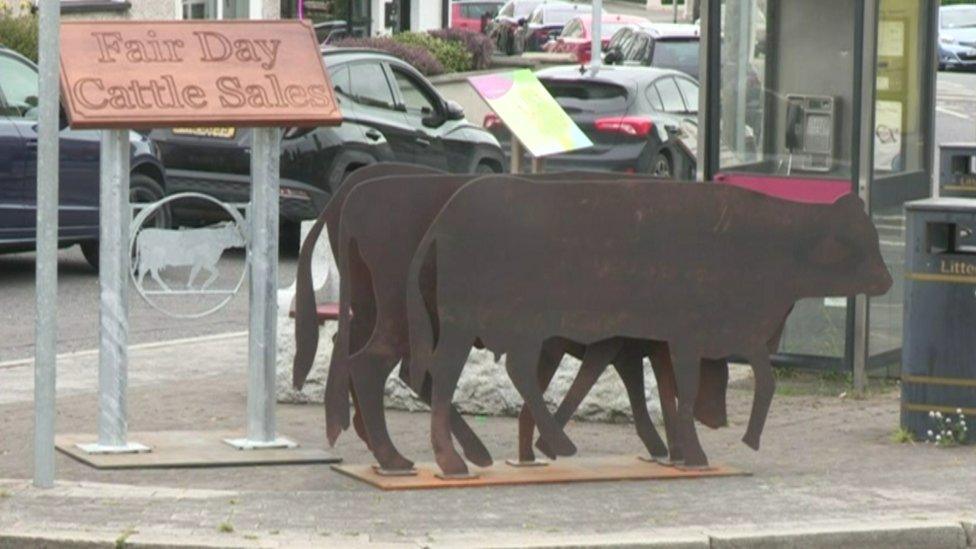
<point>530,112</point>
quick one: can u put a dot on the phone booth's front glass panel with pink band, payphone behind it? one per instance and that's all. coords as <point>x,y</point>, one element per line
<point>787,91</point>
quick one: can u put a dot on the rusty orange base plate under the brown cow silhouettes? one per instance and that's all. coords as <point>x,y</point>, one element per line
<point>560,471</point>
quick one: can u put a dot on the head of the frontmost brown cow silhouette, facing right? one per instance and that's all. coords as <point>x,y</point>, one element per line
<point>841,256</point>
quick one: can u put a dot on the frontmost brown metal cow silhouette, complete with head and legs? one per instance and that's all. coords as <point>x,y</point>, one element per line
<point>711,269</point>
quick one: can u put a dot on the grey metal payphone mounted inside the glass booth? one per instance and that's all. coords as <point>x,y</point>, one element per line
<point>811,126</point>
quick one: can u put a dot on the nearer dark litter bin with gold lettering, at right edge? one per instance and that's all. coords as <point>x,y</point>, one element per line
<point>939,352</point>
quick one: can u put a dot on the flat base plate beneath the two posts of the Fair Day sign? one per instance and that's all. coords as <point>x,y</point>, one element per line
<point>178,449</point>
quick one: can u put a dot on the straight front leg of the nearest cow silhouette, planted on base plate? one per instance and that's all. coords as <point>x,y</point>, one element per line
<point>687,371</point>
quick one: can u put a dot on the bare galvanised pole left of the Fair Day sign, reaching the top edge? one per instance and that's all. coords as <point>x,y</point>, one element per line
<point>46,327</point>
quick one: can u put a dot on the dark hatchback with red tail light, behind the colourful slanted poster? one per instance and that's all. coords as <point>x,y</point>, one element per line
<point>631,114</point>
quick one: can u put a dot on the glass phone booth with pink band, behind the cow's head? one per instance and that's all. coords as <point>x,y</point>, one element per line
<point>813,99</point>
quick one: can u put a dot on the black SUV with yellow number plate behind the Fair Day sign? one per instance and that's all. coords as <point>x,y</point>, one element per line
<point>390,113</point>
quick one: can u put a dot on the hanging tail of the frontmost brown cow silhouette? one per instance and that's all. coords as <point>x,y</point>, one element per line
<point>422,317</point>
